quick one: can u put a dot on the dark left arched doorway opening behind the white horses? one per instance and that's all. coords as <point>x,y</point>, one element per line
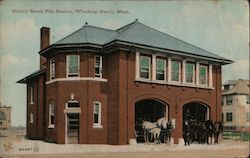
<point>148,110</point>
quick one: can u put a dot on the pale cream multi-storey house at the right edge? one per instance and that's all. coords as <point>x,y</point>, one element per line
<point>235,104</point>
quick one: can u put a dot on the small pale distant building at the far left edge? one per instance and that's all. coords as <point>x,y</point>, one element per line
<point>5,117</point>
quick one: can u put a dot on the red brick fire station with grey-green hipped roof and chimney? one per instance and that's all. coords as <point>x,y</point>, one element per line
<point>96,84</point>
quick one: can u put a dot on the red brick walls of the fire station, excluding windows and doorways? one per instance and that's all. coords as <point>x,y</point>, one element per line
<point>118,91</point>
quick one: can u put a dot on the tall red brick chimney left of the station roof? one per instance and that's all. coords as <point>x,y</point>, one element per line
<point>44,42</point>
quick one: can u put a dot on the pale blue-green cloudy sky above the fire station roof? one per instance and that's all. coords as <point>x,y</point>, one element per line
<point>220,27</point>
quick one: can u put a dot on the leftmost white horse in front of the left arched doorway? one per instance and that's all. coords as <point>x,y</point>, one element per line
<point>151,128</point>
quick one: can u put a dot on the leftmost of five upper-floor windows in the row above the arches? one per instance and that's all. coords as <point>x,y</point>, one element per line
<point>144,67</point>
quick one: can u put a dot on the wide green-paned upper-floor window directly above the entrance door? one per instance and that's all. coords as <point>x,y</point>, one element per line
<point>73,65</point>
